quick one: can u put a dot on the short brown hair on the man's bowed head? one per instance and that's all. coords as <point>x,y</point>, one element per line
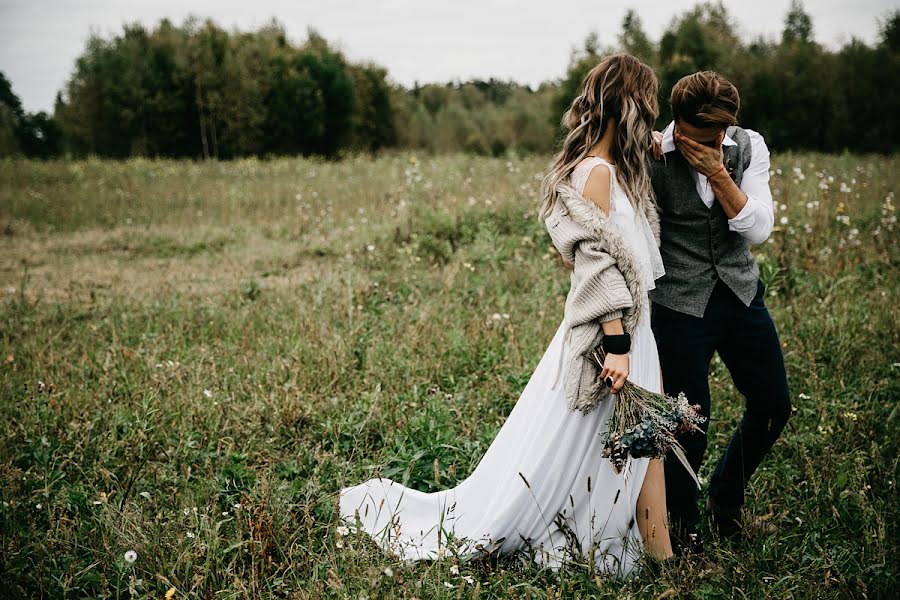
<point>705,99</point>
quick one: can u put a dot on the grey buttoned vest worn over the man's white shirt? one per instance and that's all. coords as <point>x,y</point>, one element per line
<point>697,247</point>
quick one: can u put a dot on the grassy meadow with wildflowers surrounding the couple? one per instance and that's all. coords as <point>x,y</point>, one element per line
<point>195,357</point>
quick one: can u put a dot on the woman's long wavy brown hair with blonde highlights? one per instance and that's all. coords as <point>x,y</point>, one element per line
<point>622,88</point>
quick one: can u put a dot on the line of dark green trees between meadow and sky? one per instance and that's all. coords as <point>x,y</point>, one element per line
<point>198,91</point>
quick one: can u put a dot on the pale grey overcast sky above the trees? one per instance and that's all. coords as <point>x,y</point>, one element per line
<point>422,40</point>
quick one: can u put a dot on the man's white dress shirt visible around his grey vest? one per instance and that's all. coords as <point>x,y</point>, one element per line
<point>757,217</point>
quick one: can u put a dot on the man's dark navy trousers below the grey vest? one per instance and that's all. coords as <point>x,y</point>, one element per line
<point>747,342</point>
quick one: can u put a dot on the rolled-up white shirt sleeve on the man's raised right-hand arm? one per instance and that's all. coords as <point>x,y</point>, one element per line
<point>757,217</point>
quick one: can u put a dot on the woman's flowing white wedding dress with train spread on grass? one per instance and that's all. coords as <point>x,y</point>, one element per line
<point>542,486</point>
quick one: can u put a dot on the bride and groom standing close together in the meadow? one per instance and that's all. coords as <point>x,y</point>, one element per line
<point>656,229</point>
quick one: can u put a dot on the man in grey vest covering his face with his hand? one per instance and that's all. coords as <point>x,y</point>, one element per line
<point>712,187</point>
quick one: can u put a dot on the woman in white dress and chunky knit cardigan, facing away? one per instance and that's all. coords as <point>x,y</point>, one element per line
<point>543,486</point>
